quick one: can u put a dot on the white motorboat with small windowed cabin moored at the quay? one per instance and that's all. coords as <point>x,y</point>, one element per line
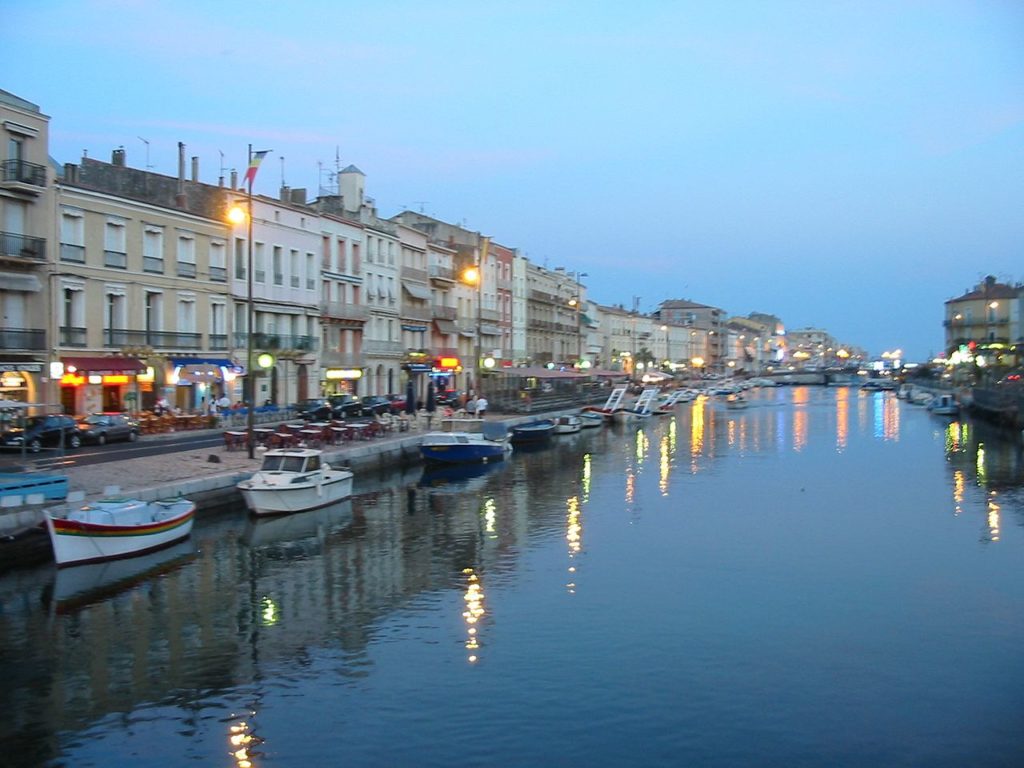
<point>294,481</point>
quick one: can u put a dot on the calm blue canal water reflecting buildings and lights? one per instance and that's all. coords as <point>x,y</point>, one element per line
<point>829,578</point>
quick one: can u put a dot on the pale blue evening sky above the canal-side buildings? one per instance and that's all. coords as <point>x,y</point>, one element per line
<point>843,165</point>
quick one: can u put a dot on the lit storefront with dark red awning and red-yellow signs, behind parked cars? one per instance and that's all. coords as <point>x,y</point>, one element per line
<point>100,385</point>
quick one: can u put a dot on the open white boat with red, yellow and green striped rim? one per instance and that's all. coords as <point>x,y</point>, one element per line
<point>115,528</point>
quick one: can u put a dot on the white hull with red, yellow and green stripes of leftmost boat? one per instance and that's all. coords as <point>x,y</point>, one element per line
<point>81,542</point>
